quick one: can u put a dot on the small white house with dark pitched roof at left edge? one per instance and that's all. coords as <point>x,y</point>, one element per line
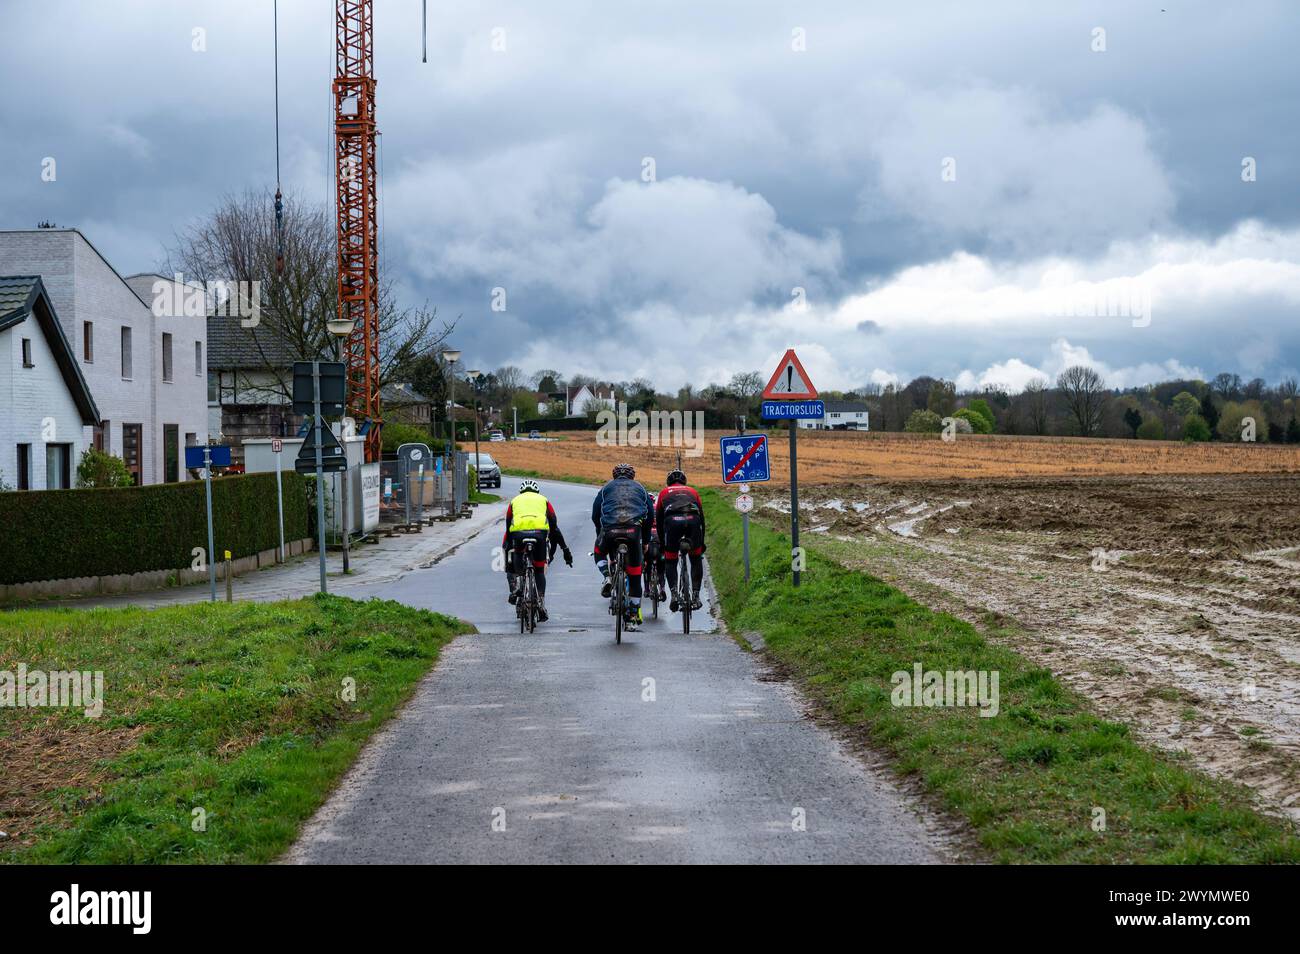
<point>45,402</point>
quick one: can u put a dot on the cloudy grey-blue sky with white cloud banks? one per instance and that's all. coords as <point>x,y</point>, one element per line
<point>682,190</point>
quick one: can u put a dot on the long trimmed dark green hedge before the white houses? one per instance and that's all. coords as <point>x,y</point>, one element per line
<point>57,535</point>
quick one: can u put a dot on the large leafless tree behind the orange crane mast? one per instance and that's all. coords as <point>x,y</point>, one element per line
<point>237,244</point>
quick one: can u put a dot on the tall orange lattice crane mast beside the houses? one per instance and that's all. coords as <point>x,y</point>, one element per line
<point>358,211</point>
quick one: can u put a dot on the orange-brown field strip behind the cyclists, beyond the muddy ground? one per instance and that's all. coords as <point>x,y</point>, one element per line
<point>843,457</point>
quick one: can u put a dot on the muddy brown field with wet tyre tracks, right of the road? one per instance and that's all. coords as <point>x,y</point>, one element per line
<point>1172,602</point>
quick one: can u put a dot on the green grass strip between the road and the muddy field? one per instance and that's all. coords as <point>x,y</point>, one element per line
<point>1032,779</point>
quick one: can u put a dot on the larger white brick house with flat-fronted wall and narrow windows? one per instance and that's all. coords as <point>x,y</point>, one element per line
<point>148,372</point>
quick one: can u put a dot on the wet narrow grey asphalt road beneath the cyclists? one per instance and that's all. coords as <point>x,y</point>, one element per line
<point>562,747</point>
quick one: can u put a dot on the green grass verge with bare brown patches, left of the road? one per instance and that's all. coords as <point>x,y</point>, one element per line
<point>239,710</point>
